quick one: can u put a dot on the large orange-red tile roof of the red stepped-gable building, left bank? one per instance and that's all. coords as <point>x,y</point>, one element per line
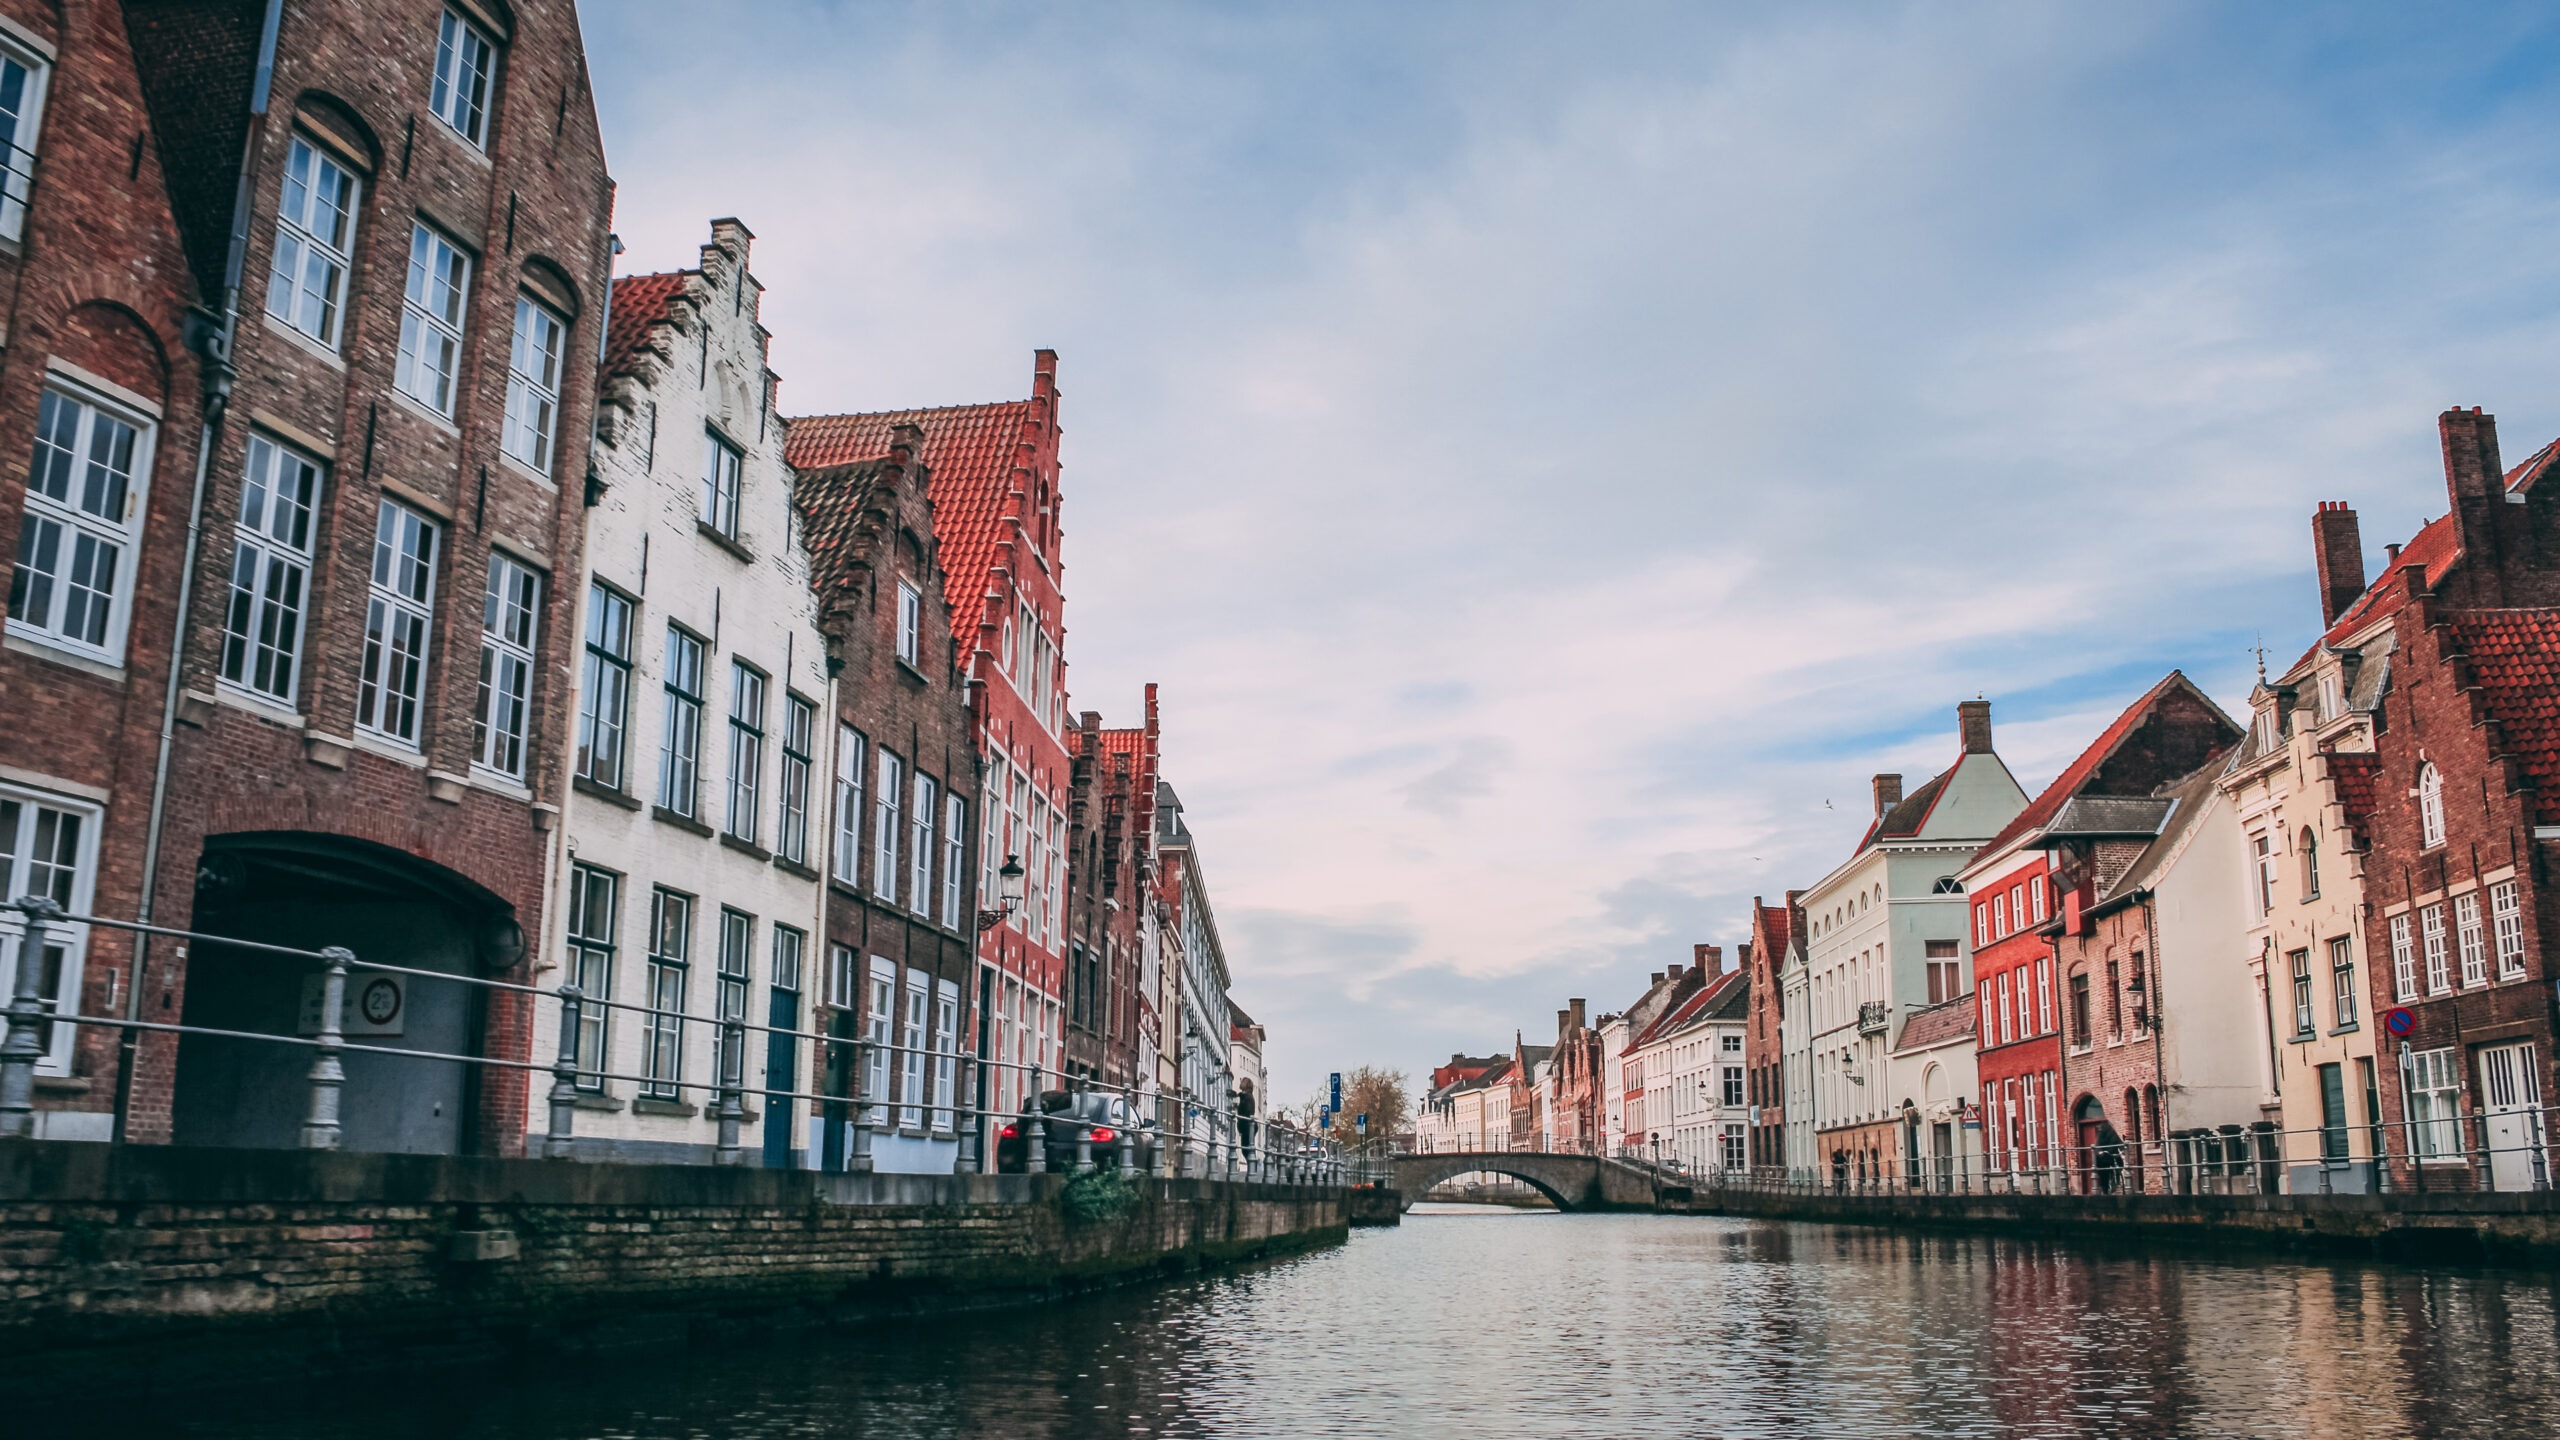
<point>969,462</point>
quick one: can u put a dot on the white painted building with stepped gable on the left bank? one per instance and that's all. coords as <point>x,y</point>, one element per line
<point>695,831</point>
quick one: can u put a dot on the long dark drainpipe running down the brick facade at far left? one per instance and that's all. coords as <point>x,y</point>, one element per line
<point>211,340</point>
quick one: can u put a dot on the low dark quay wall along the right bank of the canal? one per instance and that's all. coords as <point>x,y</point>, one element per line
<point>2474,1229</point>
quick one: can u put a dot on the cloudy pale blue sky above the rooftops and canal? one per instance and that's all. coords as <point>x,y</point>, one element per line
<point>1550,457</point>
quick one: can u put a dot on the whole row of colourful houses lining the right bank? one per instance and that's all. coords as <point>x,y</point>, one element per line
<point>2308,949</point>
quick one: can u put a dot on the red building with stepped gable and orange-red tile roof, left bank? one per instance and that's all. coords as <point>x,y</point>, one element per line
<point>997,509</point>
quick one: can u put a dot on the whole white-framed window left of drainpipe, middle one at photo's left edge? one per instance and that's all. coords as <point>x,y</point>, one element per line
<point>83,519</point>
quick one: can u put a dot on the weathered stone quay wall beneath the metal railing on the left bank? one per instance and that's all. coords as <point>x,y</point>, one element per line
<point>116,1247</point>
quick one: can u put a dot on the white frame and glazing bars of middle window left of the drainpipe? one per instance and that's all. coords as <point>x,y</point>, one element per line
<point>73,521</point>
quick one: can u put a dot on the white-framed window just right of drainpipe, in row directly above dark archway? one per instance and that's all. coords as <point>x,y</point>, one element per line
<point>270,573</point>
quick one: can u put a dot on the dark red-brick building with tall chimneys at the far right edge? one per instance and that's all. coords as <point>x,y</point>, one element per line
<point>2461,911</point>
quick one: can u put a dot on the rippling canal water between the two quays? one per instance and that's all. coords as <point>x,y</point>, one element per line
<point>1499,1323</point>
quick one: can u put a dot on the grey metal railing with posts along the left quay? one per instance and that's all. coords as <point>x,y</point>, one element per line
<point>887,1088</point>
